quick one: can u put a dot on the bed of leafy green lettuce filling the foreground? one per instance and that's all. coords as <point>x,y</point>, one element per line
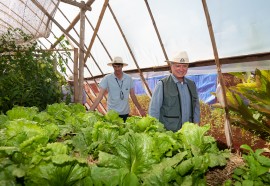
<point>66,145</point>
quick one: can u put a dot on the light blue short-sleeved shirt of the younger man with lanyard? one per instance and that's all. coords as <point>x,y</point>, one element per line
<point>114,87</point>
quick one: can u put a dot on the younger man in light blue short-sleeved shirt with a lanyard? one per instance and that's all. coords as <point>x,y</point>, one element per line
<point>119,86</point>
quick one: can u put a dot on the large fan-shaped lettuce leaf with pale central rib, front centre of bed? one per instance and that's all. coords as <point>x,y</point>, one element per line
<point>133,152</point>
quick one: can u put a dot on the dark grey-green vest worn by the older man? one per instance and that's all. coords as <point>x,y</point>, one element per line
<point>170,112</point>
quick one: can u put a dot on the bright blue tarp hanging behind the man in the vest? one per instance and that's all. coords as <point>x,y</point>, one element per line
<point>205,83</point>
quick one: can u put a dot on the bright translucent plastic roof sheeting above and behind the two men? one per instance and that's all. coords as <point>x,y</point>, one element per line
<point>126,30</point>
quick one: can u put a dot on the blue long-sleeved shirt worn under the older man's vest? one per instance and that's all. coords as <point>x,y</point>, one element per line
<point>157,99</point>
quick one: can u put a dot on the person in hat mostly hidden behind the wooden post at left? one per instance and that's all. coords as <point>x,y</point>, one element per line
<point>68,91</point>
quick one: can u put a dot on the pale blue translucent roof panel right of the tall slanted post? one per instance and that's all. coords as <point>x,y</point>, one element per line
<point>241,26</point>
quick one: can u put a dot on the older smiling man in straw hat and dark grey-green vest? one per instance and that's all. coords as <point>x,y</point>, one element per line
<point>175,98</point>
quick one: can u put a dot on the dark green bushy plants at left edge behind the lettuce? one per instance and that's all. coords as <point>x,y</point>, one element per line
<point>28,75</point>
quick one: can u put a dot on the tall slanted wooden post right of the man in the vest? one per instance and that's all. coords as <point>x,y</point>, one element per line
<point>227,127</point>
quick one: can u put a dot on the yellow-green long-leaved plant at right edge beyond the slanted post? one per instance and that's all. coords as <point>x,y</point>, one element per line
<point>249,102</point>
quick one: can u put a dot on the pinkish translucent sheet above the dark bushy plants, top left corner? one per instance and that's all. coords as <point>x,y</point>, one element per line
<point>24,14</point>
